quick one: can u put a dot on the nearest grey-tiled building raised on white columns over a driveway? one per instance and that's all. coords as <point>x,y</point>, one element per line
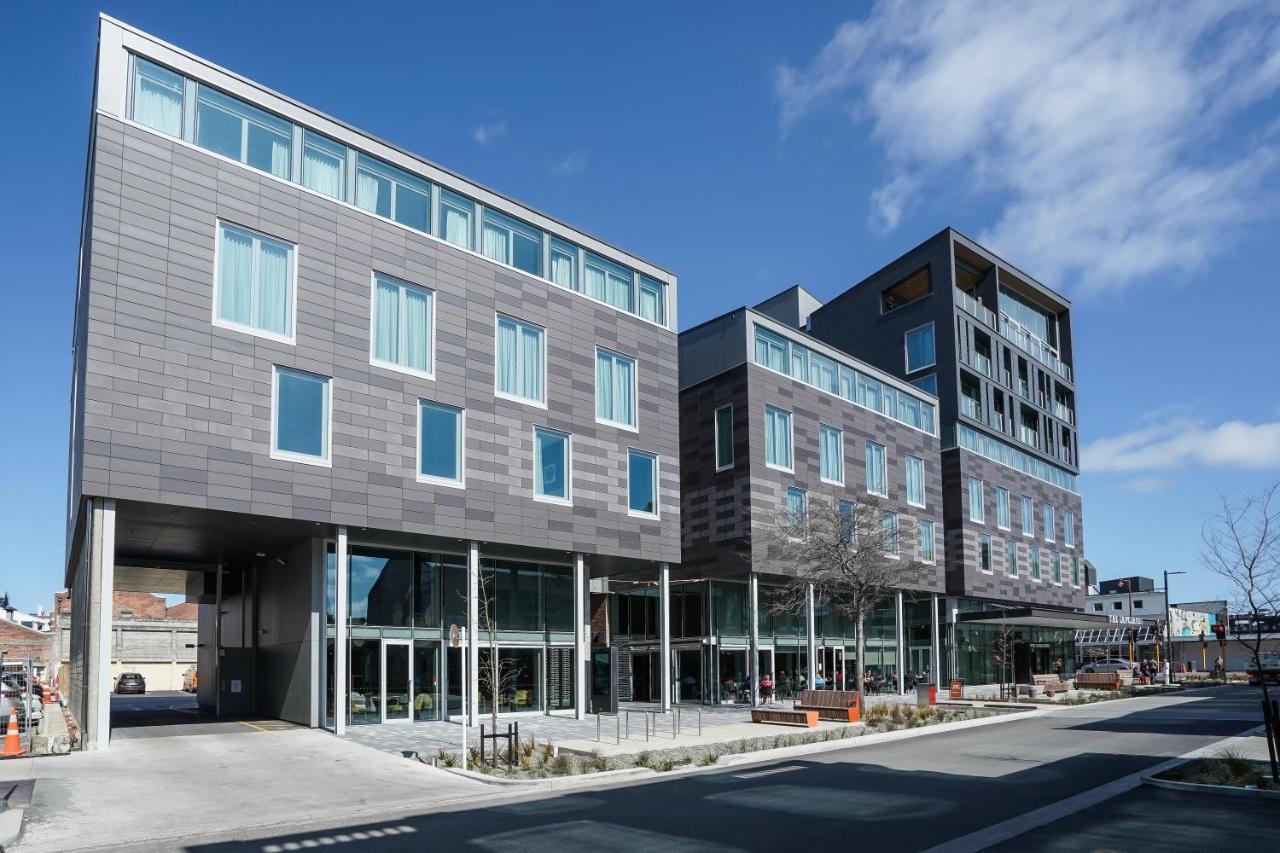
<point>340,393</point>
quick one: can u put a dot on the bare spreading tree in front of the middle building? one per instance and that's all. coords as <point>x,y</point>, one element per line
<point>851,555</point>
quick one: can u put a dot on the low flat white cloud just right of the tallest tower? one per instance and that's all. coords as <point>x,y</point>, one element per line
<point>1182,443</point>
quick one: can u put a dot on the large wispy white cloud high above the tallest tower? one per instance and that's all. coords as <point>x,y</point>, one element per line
<point>1118,134</point>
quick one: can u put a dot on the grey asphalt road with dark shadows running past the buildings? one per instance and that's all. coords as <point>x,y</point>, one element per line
<point>911,795</point>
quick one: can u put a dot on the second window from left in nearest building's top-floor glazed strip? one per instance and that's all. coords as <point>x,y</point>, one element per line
<point>235,130</point>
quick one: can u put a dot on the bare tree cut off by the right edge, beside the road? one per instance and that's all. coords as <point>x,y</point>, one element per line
<point>1242,546</point>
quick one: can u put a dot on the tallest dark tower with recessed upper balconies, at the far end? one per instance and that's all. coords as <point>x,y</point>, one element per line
<point>995,348</point>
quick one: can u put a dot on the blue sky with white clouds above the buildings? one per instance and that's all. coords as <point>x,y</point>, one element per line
<point>1127,156</point>
